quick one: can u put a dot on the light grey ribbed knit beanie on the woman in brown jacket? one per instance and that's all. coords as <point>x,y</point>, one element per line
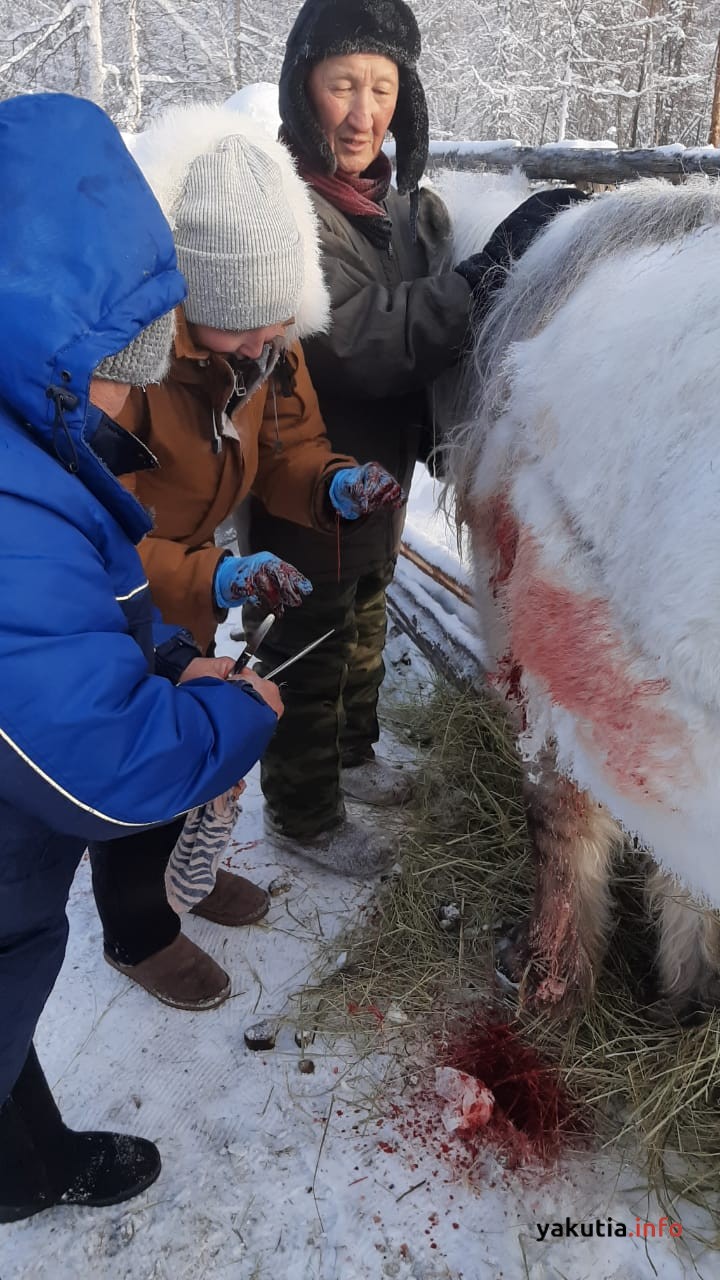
<point>238,241</point>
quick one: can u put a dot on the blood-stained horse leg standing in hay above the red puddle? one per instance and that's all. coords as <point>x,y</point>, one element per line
<point>573,840</point>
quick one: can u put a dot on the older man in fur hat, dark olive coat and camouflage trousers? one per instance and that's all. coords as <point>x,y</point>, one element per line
<point>349,76</point>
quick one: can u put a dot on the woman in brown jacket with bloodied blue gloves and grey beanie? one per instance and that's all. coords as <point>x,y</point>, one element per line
<point>238,413</point>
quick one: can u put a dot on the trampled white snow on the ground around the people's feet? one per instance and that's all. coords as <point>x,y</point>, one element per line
<point>272,1174</point>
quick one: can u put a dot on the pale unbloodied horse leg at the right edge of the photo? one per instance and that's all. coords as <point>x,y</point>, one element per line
<point>689,958</point>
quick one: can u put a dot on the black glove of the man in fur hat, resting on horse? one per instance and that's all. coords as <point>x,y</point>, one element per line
<point>487,272</point>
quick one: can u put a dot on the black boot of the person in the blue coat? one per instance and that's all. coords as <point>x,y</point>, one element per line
<point>45,1164</point>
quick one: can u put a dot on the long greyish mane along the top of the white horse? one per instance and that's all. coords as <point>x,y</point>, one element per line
<point>644,214</point>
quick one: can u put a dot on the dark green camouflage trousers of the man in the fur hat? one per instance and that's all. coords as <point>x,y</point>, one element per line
<point>331,700</point>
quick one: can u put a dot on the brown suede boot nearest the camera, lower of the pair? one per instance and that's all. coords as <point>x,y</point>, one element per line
<point>183,976</point>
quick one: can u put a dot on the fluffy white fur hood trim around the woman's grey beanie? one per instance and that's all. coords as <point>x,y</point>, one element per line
<point>168,148</point>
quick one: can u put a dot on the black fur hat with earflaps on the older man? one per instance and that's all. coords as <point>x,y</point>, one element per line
<point>330,29</point>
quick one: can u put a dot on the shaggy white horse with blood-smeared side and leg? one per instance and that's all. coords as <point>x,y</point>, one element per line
<point>589,474</point>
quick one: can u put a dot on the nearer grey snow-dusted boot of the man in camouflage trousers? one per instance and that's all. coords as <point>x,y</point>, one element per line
<point>352,849</point>
